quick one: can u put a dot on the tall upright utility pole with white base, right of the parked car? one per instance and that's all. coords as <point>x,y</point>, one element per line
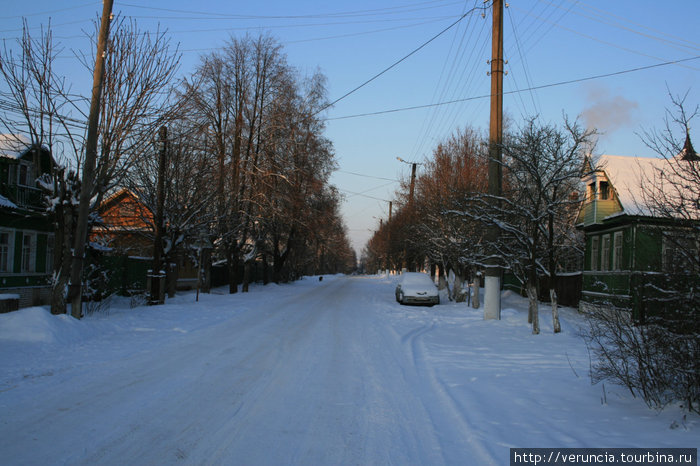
<point>492,282</point>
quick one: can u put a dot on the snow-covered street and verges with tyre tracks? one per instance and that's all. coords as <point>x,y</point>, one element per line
<point>331,372</point>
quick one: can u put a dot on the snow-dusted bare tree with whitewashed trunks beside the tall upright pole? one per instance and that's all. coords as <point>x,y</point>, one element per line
<point>541,169</point>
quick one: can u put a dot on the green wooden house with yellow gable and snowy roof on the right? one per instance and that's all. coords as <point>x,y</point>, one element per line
<point>631,255</point>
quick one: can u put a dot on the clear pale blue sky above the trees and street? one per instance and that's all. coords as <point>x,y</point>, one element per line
<point>546,42</point>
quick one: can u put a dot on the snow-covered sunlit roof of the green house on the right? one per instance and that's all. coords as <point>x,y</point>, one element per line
<point>637,179</point>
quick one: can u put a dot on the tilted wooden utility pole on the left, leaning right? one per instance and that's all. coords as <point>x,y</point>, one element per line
<point>88,179</point>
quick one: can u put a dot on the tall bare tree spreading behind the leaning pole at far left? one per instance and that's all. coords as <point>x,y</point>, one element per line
<point>138,70</point>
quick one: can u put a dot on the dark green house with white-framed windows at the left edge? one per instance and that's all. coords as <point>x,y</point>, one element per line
<point>26,234</point>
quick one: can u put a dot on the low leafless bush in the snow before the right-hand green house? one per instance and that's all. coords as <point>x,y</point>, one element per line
<point>653,360</point>
